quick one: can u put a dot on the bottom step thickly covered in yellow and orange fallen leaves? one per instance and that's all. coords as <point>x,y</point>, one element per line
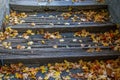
<point>65,70</point>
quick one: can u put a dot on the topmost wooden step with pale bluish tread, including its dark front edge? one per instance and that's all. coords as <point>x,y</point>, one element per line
<point>56,5</point>
